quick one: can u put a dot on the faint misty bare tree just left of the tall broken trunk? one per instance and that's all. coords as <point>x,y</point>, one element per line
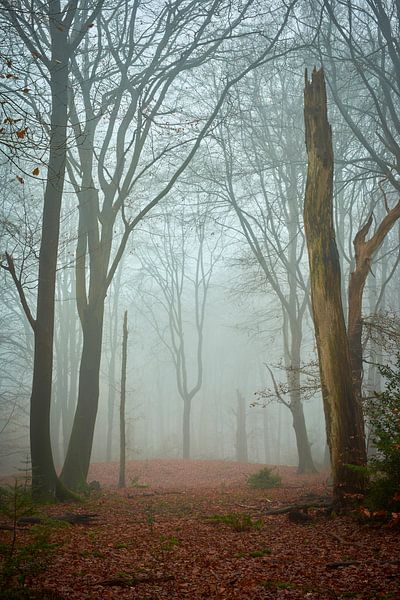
<point>263,179</point>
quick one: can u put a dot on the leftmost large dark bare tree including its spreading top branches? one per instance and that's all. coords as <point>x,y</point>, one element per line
<point>53,45</point>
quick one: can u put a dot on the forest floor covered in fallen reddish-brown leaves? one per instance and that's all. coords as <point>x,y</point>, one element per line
<point>195,530</point>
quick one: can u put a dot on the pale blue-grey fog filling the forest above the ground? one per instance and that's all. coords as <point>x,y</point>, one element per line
<point>182,204</point>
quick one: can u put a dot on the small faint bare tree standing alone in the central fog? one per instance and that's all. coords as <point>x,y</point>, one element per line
<point>180,263</point>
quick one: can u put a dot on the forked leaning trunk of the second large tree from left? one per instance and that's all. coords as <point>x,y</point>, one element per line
<point>90,305</point>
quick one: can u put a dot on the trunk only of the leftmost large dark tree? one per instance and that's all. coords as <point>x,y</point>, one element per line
<point>44,477</point>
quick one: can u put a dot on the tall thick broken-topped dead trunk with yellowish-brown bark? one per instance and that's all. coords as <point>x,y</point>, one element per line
<point>342,412</point>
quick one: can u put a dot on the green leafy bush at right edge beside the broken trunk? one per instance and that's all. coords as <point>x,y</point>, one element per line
<point>383,412</point>
